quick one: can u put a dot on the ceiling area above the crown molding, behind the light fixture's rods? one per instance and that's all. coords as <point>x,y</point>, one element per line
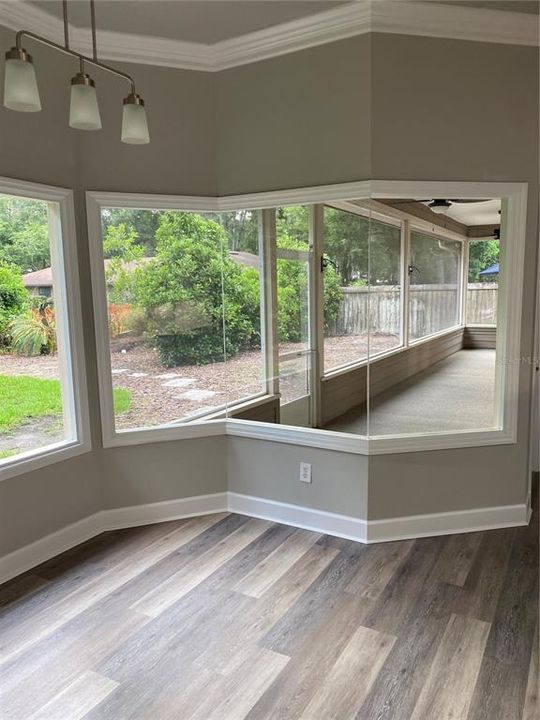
<point>199,21</point>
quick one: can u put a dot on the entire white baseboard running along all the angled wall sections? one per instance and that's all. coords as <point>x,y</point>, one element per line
<point>344,526</point>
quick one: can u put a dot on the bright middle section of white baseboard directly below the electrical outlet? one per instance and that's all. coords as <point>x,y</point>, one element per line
<point>329,523</point>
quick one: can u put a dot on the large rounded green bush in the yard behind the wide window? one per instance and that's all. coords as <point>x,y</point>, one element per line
<point>181,291</point>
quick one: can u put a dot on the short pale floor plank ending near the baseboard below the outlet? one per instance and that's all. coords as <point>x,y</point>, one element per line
<point>275,565</point>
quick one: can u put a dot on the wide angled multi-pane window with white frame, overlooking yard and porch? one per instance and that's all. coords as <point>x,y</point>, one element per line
<point>350,316</point>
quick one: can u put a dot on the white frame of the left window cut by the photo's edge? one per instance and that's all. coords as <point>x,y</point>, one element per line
<point>62,237</point>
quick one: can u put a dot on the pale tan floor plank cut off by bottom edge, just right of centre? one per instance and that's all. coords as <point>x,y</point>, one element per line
<point>349,681</point>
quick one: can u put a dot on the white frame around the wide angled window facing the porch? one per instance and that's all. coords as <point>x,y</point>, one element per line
<point>508,330</point>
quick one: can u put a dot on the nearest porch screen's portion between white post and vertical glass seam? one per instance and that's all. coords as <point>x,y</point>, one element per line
<point>346,293</point>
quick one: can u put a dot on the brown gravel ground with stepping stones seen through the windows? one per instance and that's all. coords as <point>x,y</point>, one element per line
<point>161,395</point>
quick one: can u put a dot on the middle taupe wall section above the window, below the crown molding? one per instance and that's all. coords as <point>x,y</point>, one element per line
<point>297,120</point>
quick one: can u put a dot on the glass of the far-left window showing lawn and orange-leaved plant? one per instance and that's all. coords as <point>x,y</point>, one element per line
<point>32,400</point>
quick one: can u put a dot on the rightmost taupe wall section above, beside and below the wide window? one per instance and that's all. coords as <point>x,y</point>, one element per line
<point>474,106</point>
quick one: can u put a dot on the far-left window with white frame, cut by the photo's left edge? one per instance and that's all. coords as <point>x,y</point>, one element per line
<point>42,408</point>
